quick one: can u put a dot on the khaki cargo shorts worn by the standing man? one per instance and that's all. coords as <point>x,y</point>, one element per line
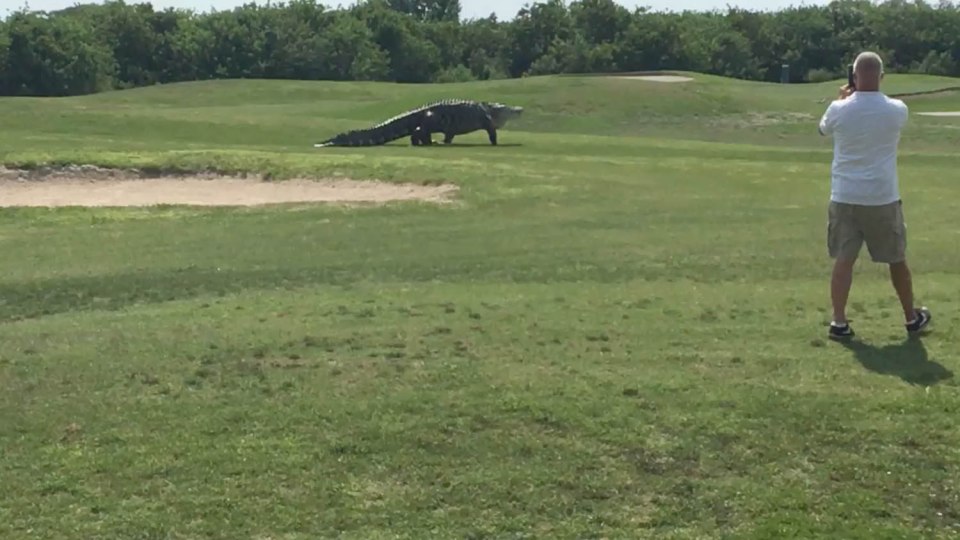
<point>881,227</point>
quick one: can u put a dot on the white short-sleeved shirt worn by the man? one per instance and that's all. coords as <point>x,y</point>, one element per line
<point>866,131</point>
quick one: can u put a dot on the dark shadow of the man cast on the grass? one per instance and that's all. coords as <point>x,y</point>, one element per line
<point>907,360</point>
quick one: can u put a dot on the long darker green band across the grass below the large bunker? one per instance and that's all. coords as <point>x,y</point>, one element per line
<point>34,298</point>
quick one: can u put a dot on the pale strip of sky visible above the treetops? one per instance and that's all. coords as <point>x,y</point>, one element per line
<point>504,9</point>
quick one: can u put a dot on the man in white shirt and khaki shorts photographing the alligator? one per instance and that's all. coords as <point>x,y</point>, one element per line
<point>865,203</point>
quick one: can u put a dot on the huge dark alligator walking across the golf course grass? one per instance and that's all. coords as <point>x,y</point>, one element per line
<point>451,117</point>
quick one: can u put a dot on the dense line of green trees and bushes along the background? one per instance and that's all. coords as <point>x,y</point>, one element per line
<point>96,47</point>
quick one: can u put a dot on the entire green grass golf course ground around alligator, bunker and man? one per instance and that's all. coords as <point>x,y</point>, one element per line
<point>618,330</point>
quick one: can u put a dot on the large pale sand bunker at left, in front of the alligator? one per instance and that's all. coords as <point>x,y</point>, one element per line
<point>92,186</point>
